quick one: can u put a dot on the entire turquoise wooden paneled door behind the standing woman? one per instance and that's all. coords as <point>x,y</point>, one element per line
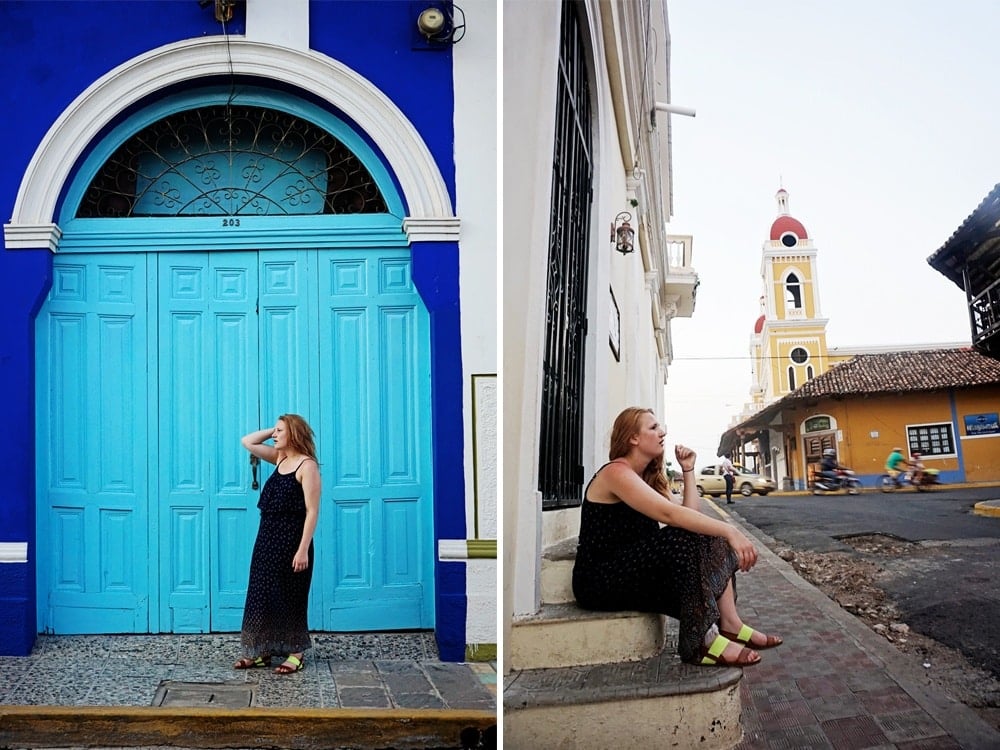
<point>149,369</point>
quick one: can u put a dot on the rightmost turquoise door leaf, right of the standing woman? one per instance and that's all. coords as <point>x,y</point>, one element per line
<point>374,417</point>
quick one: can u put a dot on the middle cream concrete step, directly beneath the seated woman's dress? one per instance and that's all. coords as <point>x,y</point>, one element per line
<point>563,635</point>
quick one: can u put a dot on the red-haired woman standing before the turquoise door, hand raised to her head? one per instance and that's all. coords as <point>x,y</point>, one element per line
<point>274,617</point>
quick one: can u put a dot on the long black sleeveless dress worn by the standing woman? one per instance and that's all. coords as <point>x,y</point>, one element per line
<point>274,616</point>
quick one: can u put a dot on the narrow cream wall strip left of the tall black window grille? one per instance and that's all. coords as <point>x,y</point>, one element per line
<point>530,60</point>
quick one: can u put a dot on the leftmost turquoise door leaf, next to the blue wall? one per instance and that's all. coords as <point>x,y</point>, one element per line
<point>92,448</point>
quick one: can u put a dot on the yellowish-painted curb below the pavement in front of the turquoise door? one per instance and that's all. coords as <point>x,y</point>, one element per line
<point>292,729</point>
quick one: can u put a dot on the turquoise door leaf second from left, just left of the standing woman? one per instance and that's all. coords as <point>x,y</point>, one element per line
<point>207,351</point>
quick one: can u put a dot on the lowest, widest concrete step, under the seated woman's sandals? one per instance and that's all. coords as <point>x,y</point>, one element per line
<point>655,702</point>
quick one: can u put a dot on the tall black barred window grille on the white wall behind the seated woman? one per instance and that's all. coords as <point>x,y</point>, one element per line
<point>561,452</point>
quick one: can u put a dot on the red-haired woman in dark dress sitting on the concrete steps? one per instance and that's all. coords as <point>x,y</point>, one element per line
<point>626,561</point>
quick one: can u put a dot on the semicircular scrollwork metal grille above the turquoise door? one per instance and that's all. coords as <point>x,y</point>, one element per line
<point>228,160</point>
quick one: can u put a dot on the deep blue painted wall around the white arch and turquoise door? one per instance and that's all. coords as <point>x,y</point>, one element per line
<point>51,51</point>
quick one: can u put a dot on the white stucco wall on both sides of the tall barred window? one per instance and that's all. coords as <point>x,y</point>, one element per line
<point>531,31</point>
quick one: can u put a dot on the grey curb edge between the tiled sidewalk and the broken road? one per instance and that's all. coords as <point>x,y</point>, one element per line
<point>959,721</point>
